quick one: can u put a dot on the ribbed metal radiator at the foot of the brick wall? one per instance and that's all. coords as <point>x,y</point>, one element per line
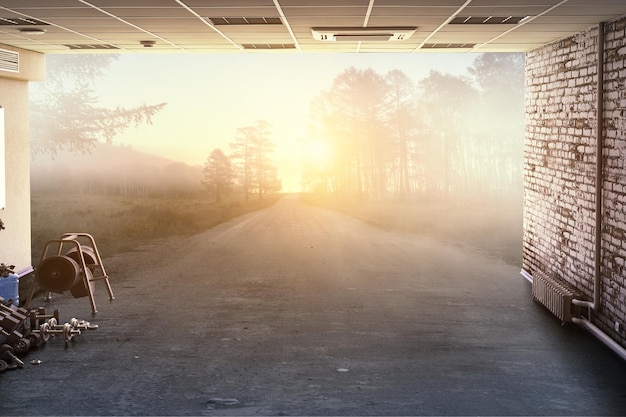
<point>555,296</point>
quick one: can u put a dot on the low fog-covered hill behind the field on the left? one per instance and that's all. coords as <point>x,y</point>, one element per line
<point>113,169</point>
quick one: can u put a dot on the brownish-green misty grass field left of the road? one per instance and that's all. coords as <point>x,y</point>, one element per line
<point>120,223</point>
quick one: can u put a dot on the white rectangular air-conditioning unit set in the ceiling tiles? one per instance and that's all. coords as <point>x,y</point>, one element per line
<point>366,34</point>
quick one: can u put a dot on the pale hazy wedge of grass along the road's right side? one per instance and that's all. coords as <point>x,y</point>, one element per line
<point>493,227</point>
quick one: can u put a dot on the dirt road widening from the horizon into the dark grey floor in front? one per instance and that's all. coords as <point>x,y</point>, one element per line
<point>295,310</point>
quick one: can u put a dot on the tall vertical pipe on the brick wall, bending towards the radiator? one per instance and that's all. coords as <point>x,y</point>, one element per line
<point>599,178</point>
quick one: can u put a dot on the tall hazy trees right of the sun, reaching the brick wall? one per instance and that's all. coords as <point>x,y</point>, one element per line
<point>442,137</point>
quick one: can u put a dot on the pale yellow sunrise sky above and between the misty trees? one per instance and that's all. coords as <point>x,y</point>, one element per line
<point>209,96</point>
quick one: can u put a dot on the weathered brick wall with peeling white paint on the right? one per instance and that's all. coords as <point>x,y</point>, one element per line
<point>560,168</point>
